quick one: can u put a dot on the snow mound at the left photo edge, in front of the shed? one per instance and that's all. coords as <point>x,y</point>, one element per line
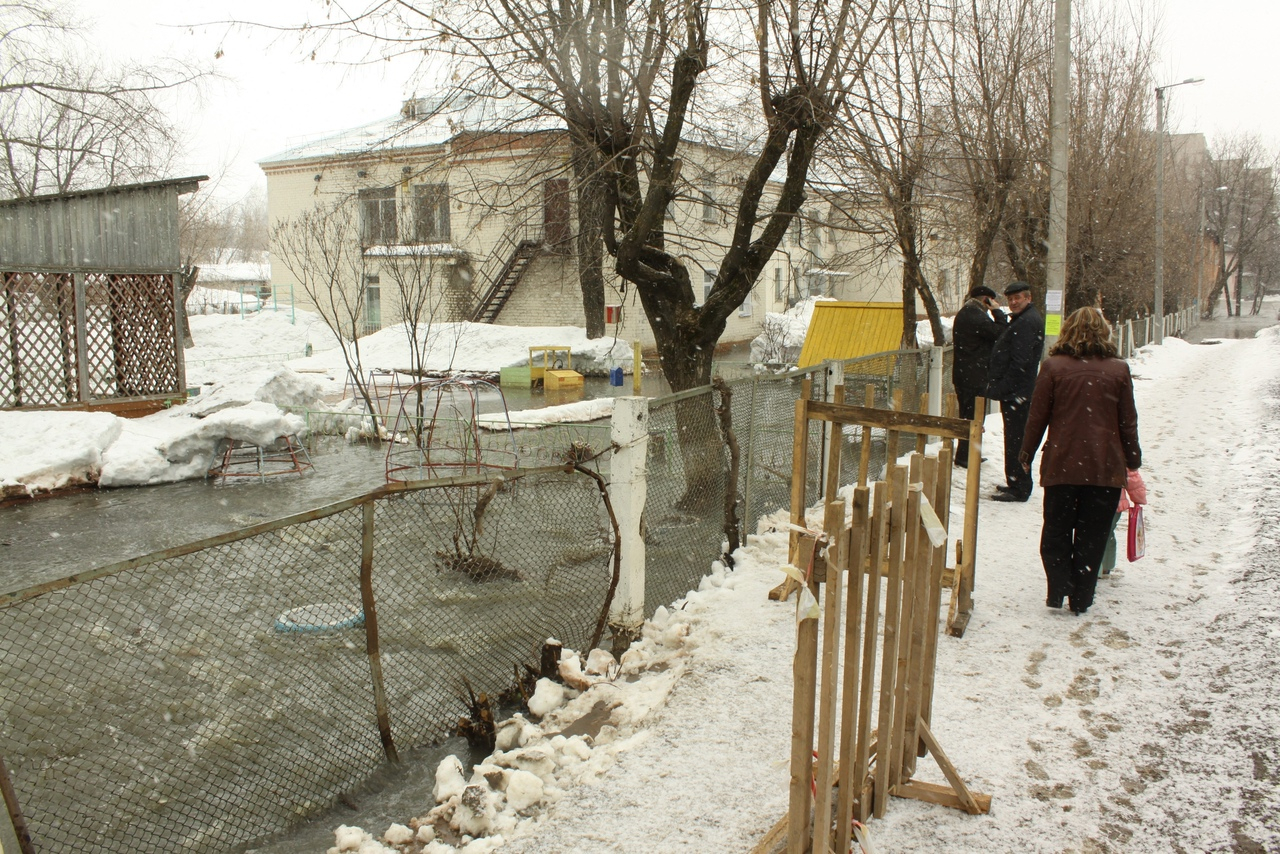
<point>47,451</point>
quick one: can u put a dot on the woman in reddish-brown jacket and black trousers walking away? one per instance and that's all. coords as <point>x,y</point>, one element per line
<point>1085,399</point>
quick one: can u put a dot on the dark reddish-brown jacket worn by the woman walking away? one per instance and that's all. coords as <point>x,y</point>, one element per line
<point>1087,407</point>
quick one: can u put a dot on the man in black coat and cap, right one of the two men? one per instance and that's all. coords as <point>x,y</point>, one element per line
<point>1012,378</point>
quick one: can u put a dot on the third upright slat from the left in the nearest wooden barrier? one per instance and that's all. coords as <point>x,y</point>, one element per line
<point>856,550</point>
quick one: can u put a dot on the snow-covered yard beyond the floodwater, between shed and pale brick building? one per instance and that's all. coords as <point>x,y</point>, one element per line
<point>254,376</point>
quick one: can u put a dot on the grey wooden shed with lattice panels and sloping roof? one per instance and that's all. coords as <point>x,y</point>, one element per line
<point>90,312</point>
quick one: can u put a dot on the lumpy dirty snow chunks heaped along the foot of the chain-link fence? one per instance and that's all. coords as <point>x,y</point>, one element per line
<point>598,711</point>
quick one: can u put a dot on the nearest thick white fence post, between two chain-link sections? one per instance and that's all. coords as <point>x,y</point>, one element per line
<point>628,490</point>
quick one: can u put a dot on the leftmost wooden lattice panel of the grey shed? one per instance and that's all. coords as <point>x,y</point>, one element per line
<point>38,323</point>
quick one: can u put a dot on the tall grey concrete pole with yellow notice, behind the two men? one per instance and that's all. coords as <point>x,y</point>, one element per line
<point>1055,261</point>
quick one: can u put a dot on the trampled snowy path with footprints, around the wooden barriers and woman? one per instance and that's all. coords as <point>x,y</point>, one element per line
<point>1149,725</point>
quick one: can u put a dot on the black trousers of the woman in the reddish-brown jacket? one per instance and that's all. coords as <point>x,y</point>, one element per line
<point>1077,527</point>
